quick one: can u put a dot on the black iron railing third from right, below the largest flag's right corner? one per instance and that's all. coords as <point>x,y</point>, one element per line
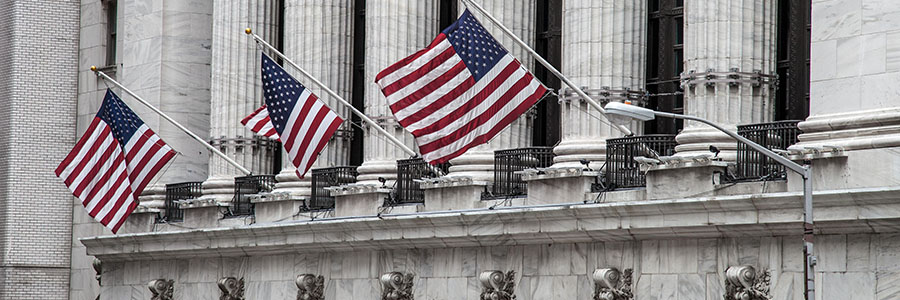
<point>507,162</point>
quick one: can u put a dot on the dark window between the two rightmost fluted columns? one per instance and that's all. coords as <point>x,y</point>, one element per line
<point>665,62</point>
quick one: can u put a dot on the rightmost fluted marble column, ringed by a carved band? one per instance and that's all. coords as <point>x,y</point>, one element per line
<point>726,36</point>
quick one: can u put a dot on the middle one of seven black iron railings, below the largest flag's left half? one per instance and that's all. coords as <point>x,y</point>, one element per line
<point>408,171</point>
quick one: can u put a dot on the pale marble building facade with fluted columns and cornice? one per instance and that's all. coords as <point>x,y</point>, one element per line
<point>675,238</point>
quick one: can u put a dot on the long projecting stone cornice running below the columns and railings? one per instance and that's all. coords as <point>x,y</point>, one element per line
<point>841,211</point>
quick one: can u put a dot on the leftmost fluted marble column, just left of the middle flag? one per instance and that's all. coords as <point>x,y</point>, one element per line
<point>236,91</point>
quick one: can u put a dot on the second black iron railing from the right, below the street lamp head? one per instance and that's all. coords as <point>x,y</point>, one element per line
<point>621,169</point>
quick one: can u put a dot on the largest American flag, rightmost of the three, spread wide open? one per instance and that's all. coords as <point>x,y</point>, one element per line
<point>459,92</point>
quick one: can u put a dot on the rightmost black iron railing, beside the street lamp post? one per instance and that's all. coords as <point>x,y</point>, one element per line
<point>752,165</point>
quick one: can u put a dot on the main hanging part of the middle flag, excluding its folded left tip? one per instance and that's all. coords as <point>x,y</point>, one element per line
<point>304,123</point>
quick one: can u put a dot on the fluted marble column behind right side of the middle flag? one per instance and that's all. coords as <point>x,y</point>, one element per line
<point>319,38</point>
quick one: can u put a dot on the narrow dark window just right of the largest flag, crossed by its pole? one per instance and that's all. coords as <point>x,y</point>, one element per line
<point>548,43</point>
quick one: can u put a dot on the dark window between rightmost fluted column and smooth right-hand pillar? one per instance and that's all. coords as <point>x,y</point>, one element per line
<point>792,95</point>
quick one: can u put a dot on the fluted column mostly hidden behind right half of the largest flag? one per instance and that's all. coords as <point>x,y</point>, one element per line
<point>518,16</point>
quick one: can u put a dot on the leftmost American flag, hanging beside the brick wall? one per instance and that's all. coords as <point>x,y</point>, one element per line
<point>113,162</point>
